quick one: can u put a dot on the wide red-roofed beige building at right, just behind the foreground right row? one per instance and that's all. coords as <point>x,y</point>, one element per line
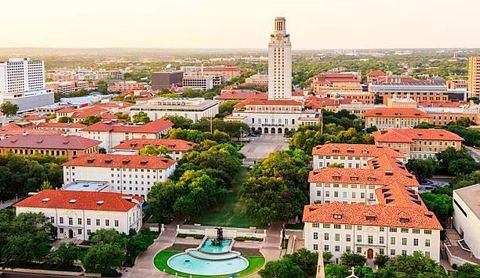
<point>418,143</point>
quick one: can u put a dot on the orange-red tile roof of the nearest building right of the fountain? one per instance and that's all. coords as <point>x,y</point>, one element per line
<point>371,215</point>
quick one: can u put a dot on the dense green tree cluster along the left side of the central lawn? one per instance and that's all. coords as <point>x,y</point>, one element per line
<point>200,181</point>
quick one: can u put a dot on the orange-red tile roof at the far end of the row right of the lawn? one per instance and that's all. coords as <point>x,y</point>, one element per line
<point>355,150</point>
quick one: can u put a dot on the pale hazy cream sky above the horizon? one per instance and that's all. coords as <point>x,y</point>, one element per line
<point>313,24</point>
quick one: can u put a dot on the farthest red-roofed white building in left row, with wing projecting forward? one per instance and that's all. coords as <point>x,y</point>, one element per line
<point>111,133</point>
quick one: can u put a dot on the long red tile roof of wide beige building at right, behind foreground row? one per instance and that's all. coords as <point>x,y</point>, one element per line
<point>411,134</point>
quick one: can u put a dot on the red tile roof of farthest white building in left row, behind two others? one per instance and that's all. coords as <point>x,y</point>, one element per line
<point>157,126</point>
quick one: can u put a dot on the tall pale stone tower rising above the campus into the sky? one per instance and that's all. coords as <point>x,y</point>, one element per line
<point>279,62</point>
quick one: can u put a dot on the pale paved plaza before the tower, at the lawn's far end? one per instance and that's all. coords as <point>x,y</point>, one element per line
<point>261,146</point>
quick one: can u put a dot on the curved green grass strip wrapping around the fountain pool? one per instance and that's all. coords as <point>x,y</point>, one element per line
<point>255,263</point>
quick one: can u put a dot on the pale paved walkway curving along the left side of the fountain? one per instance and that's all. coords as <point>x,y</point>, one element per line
<point>144,267</point>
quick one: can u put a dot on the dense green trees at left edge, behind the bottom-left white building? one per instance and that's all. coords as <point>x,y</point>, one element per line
<point>20,175</point>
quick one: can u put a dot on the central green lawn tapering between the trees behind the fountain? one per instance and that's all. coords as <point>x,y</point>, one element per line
<point>229,214</point>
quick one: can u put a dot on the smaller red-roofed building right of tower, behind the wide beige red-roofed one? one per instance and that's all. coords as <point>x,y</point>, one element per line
<point>388,118</point>
